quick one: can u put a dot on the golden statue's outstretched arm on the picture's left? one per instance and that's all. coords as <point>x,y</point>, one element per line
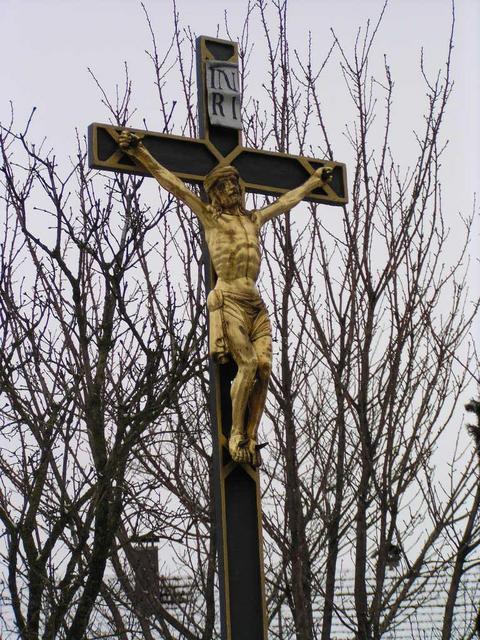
<point>131,144</point>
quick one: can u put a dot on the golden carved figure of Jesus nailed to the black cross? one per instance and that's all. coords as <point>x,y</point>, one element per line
<point>239,323</point>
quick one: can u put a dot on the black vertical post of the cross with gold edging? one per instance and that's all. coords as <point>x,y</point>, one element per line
<point>237,487</point>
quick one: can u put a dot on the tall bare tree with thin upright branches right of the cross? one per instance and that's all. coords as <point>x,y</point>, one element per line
<point>370,324</point>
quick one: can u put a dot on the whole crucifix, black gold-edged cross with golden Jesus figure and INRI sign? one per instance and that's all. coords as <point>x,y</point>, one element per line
<point>239,327</point>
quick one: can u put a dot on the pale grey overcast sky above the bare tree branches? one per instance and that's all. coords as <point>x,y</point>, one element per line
<point>46,47</point>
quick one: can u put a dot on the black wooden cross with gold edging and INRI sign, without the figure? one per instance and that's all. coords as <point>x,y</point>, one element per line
<point>237,486</point>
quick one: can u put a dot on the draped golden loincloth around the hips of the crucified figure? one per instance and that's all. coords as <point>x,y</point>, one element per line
<point>229,308</point>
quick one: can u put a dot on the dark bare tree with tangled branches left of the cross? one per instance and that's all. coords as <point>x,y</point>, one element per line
<point>97,345</point>
